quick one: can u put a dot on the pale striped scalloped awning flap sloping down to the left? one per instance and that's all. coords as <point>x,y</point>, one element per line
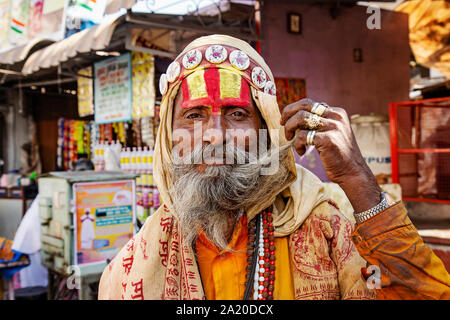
<point>95,38</point>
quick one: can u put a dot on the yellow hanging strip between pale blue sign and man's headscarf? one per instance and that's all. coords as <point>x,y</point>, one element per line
<point>143,76</point>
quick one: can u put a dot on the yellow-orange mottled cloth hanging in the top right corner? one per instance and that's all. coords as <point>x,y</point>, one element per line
<point>429,31</point>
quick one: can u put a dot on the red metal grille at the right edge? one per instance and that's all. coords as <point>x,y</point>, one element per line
<point>420,147</point>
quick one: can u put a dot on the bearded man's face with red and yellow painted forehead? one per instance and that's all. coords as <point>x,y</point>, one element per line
<point>208,117</point>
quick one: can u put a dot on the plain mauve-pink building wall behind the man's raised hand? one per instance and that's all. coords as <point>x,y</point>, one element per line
<point>323,55</point>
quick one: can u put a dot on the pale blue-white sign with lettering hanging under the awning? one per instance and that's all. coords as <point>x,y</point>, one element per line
<point>112,87</point>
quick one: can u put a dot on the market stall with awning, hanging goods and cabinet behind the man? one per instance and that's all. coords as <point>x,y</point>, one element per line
<point>93,100</point>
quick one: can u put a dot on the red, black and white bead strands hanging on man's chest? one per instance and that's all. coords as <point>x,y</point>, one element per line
<point>261,260</point>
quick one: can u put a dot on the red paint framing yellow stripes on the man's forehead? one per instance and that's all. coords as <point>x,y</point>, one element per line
<point>211,77</point>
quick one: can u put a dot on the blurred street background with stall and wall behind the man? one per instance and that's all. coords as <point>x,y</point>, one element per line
<point>79,111</point>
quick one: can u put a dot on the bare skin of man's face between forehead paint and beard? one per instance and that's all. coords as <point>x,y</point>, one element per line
<point>219,125</point>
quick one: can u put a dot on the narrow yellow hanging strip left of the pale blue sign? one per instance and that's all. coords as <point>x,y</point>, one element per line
<point>85,91</point>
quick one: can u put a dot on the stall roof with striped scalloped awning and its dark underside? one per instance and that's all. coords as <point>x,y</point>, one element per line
<point>152,33</point>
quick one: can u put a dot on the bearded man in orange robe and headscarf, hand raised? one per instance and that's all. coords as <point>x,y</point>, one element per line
<point>241,224</point>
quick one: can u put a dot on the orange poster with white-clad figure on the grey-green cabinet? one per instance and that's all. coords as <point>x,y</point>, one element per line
<point>103,219</point>
